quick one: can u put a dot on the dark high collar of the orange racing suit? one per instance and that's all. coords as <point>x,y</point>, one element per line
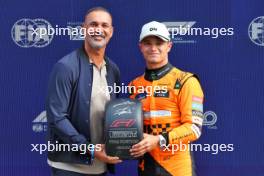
<point>155,74</point>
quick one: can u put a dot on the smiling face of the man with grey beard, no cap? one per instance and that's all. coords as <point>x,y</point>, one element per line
<point>101,23</point>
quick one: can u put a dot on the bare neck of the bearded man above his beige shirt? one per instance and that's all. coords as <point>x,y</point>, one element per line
<point>96,55</point>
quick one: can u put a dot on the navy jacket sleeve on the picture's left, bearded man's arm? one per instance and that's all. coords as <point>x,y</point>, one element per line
<point>57,105</point>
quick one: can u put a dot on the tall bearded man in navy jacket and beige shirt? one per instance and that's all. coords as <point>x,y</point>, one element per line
<point>76,102</point>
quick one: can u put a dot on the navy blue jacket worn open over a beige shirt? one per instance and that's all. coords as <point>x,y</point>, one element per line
<point>68,103</point>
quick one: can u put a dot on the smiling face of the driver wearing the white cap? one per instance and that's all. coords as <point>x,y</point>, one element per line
<point>155,51</point>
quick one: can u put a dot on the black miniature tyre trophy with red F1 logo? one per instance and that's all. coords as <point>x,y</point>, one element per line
<point>123,127</point>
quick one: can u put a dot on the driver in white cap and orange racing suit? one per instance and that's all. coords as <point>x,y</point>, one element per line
<point>172,103</point>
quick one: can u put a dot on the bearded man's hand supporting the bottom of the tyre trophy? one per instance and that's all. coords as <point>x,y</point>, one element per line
<point>101,155</point>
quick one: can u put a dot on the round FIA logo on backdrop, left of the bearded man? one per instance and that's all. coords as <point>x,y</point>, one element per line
<point>25,33</point>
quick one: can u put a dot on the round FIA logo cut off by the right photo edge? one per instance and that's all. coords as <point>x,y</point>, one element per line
<point>256,31</point>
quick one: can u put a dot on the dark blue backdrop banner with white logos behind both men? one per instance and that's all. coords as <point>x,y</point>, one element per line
<point>221,41</point>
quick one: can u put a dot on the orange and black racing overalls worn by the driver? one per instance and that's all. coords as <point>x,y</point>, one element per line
<point>172,103</point>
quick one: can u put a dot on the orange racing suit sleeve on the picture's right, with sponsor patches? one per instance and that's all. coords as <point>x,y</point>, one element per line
<point>190,100</point>
